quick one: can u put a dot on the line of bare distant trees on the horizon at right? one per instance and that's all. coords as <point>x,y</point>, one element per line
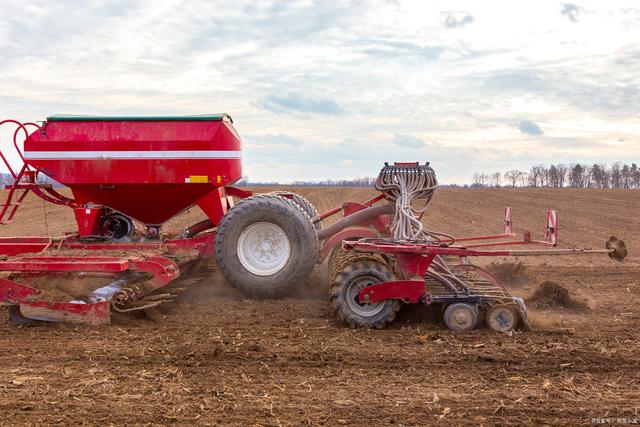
<point>576,175</point>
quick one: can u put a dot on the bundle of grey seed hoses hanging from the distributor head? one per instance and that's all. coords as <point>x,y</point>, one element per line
<point>402,184</point>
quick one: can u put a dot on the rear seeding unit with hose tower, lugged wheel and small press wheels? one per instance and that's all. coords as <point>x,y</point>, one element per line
<point>371,277</point>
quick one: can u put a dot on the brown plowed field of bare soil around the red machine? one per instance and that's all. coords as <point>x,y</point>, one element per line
<point>216,358</point>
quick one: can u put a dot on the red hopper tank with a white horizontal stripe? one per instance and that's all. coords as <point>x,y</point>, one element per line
<point>149,170</point>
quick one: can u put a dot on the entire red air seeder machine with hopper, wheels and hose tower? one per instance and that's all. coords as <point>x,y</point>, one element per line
<point>127,176</point>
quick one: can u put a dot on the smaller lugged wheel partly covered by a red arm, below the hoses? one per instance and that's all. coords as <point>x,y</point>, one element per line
<point>353,277</point>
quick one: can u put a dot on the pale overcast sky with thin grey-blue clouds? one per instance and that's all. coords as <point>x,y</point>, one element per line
<point>322,89</point>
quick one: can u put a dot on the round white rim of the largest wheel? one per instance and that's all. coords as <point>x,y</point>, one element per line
<point>263,248</point>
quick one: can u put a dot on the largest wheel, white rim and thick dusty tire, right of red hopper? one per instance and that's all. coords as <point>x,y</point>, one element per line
<point>266,245</point>
